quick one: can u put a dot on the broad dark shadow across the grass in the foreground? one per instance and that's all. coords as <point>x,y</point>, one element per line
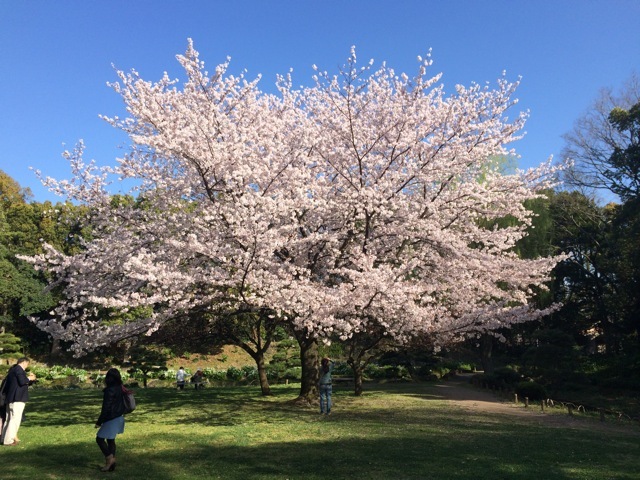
<point>408,455</point>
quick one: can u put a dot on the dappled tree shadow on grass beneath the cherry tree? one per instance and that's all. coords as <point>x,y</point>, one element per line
<point>226,406</point>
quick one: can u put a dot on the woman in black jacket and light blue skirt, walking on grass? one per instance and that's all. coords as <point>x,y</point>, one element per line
<point>111,419</point>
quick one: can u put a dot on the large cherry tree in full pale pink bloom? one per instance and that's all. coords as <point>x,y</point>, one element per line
<point>358,203</point>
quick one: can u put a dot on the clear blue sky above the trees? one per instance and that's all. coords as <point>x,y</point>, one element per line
<point>56,58</point>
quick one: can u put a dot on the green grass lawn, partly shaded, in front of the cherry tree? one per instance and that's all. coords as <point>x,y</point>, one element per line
<point>394,431</point>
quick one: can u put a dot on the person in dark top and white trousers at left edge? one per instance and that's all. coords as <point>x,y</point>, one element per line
<point>17,390</point>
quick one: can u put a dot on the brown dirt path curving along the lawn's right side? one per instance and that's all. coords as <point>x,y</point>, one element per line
<point>467,397</point>
